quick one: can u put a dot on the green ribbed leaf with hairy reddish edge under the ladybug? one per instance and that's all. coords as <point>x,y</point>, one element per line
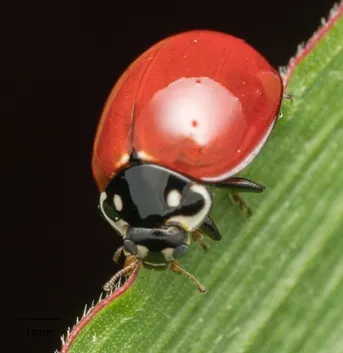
<point>275,281</point>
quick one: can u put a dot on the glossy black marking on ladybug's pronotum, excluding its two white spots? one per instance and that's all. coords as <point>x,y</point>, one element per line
<point>143,189</point>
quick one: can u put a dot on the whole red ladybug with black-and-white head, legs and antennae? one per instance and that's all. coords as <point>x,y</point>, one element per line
<point>190,112</point>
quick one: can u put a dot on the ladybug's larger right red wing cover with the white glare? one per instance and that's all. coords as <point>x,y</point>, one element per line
<point>205,105</point>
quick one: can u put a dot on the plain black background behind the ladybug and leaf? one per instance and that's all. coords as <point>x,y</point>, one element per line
<point>61,62</point>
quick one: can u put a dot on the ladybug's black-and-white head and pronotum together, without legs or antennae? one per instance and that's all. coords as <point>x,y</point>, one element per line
<point>154,208</point>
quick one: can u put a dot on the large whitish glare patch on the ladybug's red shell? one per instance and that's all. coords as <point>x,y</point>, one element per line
<point>193,100</point>
